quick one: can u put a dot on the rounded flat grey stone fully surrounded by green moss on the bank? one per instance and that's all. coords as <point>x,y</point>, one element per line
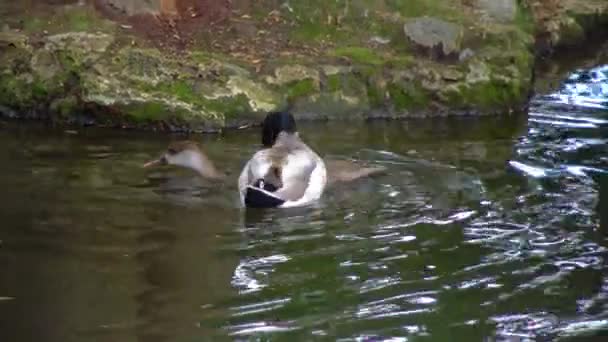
<point>434,34</point>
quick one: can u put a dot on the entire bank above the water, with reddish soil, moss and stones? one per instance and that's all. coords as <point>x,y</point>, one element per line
<point>206,65</point>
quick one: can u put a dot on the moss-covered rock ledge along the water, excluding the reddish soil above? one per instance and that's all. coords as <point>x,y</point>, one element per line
<point>351,59</point>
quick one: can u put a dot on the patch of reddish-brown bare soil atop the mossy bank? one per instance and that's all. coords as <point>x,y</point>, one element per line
<point>221,26</point>
